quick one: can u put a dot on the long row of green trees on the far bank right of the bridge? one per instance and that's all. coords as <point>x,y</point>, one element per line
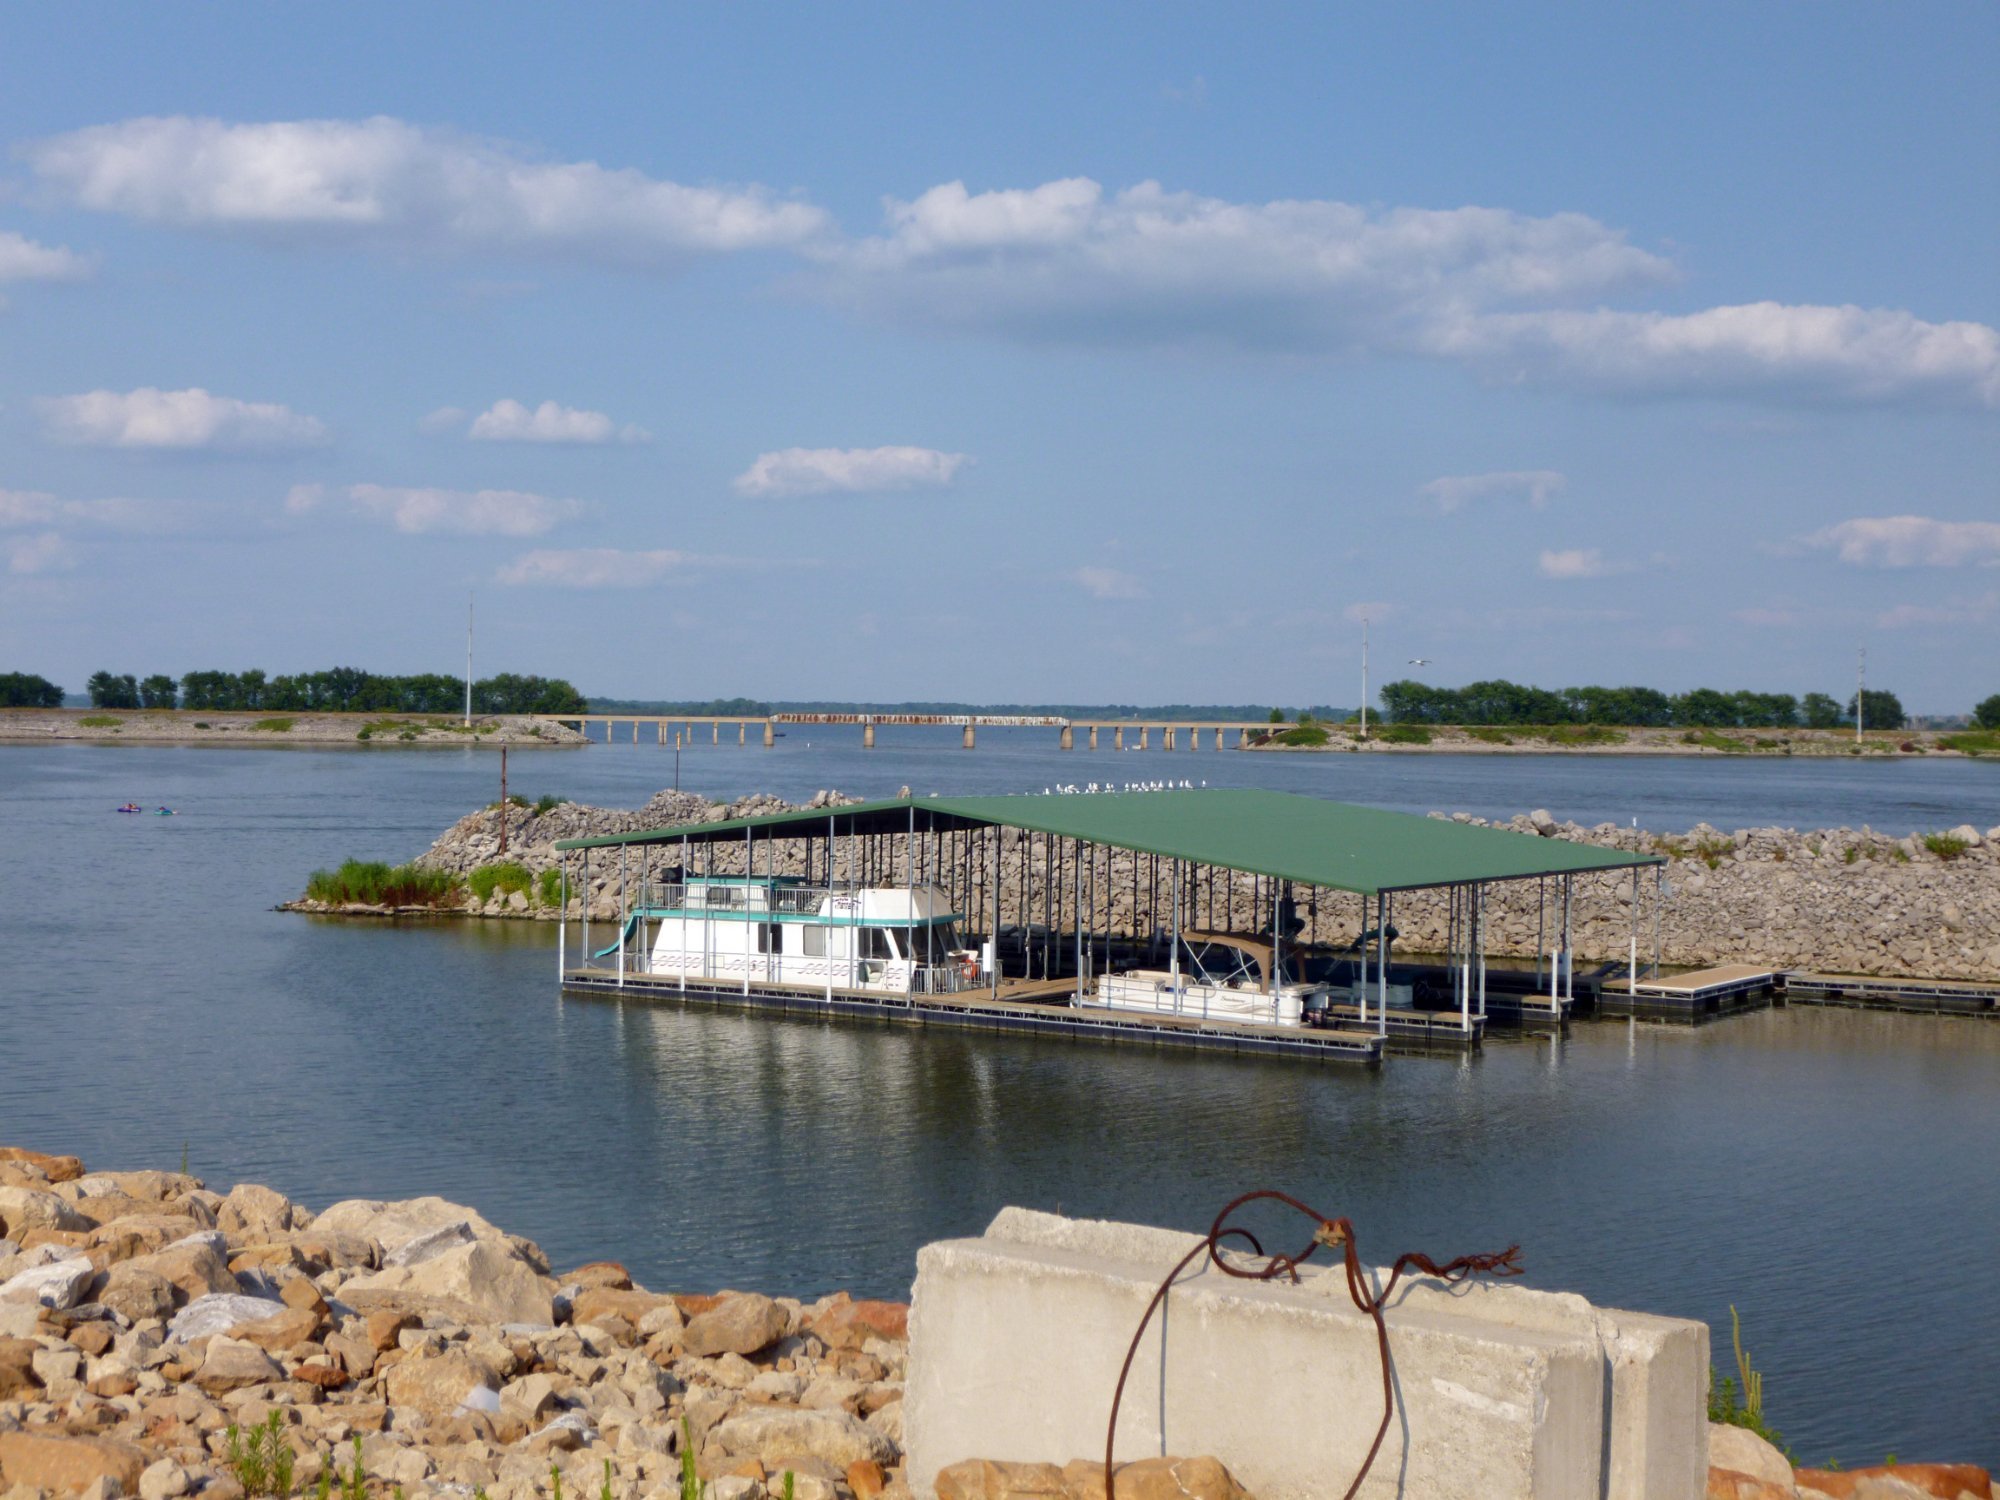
<point>1703,709</point>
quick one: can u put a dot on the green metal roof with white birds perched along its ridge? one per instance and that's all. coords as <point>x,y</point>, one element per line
<point>1281,835</point>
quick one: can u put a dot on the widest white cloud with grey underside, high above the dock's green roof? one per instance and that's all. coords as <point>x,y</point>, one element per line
<point>1147,267</point>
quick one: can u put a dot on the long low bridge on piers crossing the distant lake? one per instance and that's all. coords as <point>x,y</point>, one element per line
<point>1099,733</point>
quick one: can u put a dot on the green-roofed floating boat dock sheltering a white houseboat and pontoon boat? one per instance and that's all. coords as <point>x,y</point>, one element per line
<point>893,913</point>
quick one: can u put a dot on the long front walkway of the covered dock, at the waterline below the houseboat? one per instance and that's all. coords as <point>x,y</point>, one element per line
<point>1025,1007</point>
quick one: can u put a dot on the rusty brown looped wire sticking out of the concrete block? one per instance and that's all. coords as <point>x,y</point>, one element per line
<point>1331,1235</point>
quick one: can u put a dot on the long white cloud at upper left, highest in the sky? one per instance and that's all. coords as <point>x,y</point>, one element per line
<point>401,187</point>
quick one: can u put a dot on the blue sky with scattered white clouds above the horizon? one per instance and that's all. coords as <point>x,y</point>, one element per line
<point>1037,353</point>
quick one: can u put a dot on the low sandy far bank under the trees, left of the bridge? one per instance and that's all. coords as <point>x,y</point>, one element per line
<point>277,731</point>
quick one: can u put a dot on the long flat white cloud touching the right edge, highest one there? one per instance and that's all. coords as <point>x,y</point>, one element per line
<point>1797,353</point>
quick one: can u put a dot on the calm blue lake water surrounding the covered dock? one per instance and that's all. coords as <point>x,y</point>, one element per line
<point>1831,1175</point>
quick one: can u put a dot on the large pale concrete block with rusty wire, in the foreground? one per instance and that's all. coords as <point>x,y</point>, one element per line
<point>1503,1393</point>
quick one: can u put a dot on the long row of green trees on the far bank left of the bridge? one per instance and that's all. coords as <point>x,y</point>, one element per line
<point>337,691</point>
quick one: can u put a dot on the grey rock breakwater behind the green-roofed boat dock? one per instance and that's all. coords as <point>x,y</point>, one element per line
<point>1843,901</point>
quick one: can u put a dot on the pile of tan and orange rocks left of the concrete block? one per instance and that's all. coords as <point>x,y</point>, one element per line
<point>149,1325</point>
